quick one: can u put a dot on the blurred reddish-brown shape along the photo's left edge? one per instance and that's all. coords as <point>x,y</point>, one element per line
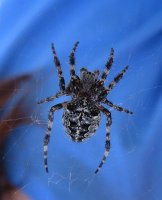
<point>17,115</point>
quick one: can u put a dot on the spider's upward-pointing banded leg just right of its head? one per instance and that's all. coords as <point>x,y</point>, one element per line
<point>107,66</point>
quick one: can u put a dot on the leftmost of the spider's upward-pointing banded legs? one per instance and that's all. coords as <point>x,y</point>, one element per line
<point>59,70</point>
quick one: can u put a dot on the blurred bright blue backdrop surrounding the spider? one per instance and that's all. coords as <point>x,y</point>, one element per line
<point>133,170</point>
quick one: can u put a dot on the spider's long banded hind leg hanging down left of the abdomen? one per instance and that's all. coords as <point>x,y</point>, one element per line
<point>49,127</point>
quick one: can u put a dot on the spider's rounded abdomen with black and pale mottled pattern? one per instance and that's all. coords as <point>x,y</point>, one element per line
<point>80,120</point>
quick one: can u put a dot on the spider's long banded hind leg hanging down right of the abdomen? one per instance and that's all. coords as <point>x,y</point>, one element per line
<point>107,144</point>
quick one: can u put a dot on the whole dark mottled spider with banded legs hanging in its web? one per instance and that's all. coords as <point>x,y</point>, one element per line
<point>81,115</point>
